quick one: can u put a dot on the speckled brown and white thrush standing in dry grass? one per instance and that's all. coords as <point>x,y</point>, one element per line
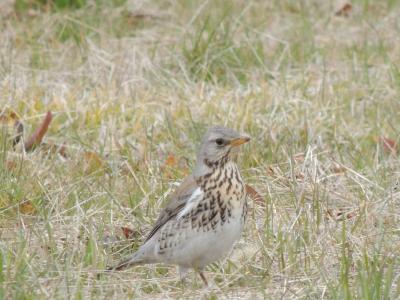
<point>205,216</point>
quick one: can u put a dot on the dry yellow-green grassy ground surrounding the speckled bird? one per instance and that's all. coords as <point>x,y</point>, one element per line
<point>133,85</point>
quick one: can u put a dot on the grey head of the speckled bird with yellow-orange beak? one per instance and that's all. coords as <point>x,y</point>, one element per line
<point>219,144</point>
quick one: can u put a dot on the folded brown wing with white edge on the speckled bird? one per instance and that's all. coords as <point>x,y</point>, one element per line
<point>182,201</point>
